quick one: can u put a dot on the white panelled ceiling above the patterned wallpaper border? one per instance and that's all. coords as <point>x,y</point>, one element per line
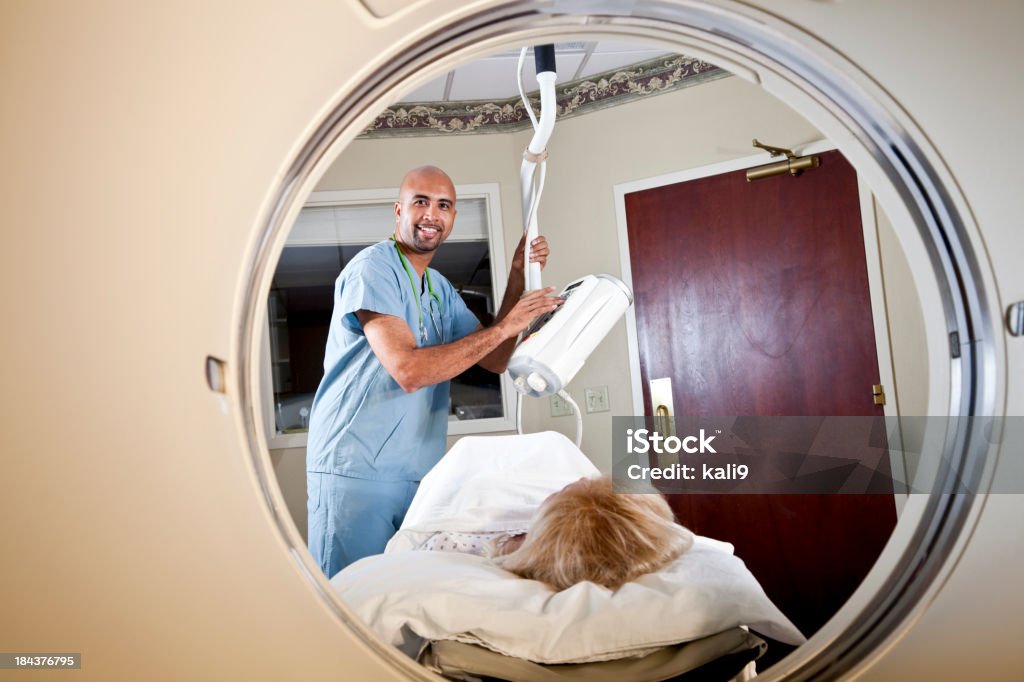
<point>495,77</point>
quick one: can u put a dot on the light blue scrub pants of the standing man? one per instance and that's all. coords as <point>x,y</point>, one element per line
<point>351,519</point>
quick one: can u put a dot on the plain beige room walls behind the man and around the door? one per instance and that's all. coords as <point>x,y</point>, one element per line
<point>589,156</point>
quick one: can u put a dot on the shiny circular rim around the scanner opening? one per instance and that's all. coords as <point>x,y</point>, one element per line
<point>890,155</point>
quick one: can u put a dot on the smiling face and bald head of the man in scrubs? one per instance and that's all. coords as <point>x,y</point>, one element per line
<point>425,210</point>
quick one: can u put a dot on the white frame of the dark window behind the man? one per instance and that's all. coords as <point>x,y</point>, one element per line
<point>496,242</point>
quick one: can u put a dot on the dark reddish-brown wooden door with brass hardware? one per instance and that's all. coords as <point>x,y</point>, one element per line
<point>753,297</point>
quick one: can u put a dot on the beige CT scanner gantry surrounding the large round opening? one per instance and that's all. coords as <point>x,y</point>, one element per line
<point>155,156</point>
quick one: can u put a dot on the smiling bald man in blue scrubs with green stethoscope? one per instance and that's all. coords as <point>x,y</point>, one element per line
<point>399,333</point>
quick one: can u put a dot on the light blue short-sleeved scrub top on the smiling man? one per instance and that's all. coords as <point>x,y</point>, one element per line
<point>362,423</point>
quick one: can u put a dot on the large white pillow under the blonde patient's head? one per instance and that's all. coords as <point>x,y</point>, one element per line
<point>411,598</point>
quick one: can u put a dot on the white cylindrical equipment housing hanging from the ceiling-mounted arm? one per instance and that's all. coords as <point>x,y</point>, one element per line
<point>557,346</point>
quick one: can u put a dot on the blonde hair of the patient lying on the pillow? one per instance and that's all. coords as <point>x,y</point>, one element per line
<point>588,533</point>
